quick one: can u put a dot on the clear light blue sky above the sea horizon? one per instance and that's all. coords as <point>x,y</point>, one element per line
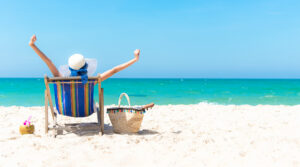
<point>181,39</point>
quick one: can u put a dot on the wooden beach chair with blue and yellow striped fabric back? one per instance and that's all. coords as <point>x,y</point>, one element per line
<point>73,99</point>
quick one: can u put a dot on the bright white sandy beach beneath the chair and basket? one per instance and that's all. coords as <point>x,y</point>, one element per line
<point>173,135</point>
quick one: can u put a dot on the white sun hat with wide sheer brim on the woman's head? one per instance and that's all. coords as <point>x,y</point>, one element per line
<point>77,61</point>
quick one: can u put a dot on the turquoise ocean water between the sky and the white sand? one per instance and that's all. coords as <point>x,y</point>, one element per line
<point>30,91</point>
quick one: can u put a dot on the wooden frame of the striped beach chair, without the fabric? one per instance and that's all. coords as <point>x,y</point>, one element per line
<point>100,111</point>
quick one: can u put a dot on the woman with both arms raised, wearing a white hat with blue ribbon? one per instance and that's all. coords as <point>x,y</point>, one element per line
<point>77,63</point>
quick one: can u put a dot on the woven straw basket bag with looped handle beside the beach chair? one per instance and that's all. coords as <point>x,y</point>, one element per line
<point>126,119</point>
